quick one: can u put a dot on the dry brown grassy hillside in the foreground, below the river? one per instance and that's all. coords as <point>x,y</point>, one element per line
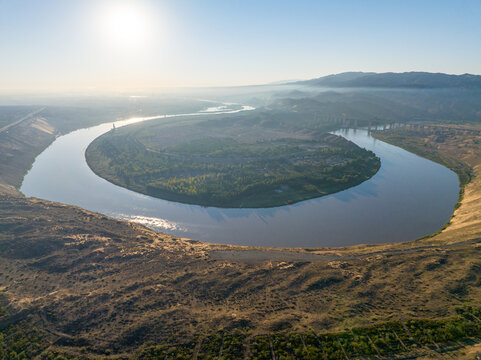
<point>94,286</point>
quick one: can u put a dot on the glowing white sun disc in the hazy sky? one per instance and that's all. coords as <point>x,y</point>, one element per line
<point>125,25</point>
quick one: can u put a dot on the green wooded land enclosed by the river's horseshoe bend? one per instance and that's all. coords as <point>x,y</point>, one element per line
<point>229,161</point>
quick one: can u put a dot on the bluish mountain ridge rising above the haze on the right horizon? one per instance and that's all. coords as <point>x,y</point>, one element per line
<point>415,80</point>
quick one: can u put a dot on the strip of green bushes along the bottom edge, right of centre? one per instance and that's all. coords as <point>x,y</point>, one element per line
<point>383,340</point>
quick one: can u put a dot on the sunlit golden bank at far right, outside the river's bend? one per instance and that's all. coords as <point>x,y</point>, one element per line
<point>457,147</point>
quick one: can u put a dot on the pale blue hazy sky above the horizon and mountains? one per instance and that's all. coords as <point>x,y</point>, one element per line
<point>122,44</point>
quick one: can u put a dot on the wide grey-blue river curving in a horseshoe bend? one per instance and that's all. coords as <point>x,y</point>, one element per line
<point>408,198</point>
